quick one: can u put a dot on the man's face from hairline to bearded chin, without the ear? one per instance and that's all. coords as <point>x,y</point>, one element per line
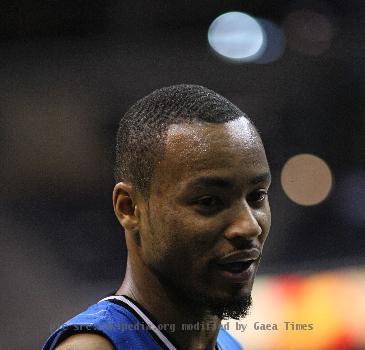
<point>208,216</point>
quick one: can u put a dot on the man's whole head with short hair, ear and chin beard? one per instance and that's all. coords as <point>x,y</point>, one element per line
<point>192,192</point>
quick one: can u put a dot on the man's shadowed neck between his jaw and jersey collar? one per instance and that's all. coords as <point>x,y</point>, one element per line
<point>147,290</point>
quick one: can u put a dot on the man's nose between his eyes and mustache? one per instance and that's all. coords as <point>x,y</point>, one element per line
<point>245,225</point>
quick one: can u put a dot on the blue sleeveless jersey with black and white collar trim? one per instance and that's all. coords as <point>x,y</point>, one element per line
<point>127,326</point>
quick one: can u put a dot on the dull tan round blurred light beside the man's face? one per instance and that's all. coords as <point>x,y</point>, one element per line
<point>306,179</point>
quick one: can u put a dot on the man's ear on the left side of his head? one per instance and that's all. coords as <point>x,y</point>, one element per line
<point>125,207</point>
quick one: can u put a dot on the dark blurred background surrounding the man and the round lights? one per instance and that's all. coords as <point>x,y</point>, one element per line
<point>68,72</point>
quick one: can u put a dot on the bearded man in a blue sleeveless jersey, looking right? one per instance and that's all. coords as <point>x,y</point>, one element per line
<point>191,194</point>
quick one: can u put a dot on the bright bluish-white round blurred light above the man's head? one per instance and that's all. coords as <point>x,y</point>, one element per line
<point>237,36</point>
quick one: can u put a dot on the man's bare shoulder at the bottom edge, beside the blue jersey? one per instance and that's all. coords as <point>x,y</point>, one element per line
<point>85,341</point>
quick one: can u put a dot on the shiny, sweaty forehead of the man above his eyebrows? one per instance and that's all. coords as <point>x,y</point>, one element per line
<point>231,149</point>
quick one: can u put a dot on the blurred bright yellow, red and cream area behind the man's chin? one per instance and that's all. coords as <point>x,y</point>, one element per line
<point>320,299</point>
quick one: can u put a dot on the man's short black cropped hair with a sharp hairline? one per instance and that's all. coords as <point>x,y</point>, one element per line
<point>142,130</point>
